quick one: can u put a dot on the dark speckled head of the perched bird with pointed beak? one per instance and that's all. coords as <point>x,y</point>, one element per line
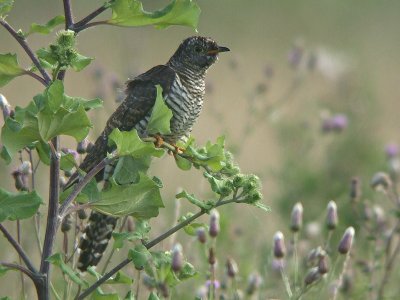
<point>197,53</point>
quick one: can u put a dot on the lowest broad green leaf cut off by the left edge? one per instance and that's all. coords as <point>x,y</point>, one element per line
<point>18,206</point>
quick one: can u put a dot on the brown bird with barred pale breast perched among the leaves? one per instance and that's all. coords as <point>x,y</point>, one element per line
<point>182,80</point>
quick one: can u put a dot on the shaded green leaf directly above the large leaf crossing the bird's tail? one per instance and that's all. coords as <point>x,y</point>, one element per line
<point>128,169</point>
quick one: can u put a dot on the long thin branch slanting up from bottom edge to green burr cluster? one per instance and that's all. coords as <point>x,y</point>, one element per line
<point>152,243</point>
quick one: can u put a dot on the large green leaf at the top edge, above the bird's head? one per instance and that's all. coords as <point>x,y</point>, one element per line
<point>178,12</point>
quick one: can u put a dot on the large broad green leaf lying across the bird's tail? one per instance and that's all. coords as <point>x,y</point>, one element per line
<point>141,200</point>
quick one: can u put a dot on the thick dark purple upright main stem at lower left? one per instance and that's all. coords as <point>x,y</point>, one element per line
<point>52,215</point>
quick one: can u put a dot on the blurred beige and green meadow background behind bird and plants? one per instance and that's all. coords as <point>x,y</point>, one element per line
<point>307,98</point>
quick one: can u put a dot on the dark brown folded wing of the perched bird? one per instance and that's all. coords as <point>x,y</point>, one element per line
<point>140,98</point>
